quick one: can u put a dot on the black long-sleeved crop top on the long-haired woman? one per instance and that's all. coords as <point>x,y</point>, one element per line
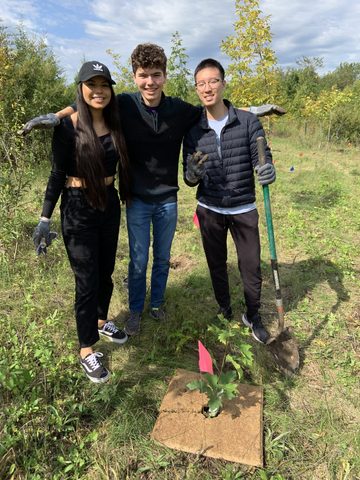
<point>64,162</point>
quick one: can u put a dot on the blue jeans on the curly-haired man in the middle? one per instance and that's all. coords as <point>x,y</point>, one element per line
<point>163,217</point>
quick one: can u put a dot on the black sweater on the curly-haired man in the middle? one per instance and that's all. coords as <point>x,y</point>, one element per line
<point>154,140</point>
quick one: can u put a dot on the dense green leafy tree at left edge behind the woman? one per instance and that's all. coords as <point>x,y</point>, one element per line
<point>31,83</point>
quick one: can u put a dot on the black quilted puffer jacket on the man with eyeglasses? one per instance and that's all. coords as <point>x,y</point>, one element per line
<point>228,181</point>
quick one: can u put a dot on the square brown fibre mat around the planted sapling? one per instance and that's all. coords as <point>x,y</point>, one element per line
<point>236,434</point>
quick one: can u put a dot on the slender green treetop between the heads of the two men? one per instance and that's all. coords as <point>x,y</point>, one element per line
<point>178,75</point>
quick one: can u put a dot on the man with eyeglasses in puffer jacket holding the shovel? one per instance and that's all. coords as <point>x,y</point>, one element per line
<point>220,157</point>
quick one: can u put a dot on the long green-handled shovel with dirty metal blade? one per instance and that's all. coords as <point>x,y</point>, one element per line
<point>283,347</point>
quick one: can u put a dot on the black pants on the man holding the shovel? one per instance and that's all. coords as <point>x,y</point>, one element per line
<point>245,233</point>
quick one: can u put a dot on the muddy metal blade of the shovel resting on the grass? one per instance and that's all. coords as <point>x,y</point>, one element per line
<point>285,351</point>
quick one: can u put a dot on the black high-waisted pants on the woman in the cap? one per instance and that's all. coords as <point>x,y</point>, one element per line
<point>90,238</point>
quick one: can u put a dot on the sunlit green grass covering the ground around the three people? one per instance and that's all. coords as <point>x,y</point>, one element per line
<point>54,424</point>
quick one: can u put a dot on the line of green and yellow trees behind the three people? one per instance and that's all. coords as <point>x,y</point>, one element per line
<point>32,82</point>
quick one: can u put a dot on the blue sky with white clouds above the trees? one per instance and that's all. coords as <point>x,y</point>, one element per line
<point>78,30</point>
